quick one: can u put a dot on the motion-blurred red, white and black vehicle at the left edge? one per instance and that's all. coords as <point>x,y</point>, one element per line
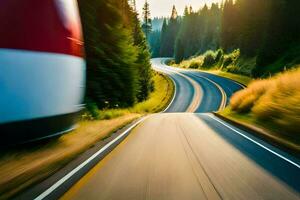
<point>42,68</point>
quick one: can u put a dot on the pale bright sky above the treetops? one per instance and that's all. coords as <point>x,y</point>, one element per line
<point>160,8</point>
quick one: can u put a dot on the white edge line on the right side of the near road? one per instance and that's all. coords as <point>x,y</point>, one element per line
<point>255,142</point>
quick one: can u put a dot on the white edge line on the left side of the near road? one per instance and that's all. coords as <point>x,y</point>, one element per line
<point>79,167</point>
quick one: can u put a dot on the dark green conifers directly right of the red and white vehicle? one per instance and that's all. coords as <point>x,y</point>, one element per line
<point>118,60</point>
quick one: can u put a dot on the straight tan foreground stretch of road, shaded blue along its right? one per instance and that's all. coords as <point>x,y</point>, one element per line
<point>186,156</point>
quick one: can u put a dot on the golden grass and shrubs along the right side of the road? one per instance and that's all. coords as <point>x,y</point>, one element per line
<point>271,105</point>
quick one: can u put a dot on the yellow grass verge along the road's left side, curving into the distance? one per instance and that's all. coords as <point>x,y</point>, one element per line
<point>22,167</point>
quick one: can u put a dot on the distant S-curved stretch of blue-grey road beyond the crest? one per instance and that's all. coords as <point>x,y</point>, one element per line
<point>217,90</point>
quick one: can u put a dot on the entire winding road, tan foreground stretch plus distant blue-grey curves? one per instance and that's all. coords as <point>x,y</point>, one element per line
<point>187,153</point>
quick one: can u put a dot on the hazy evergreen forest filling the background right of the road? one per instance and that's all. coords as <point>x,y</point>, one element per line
<point>266,32</point>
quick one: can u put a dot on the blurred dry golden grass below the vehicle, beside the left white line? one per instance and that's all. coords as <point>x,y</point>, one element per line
<point>21,168</point>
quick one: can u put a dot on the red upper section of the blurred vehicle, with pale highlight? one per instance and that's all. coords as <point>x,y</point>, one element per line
<point>41,25</point>
